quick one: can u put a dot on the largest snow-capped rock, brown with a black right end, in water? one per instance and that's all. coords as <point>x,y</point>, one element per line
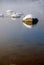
<point>30,20</point>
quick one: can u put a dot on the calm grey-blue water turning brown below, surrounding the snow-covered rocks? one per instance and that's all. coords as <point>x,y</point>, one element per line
<point>20,45</point>
